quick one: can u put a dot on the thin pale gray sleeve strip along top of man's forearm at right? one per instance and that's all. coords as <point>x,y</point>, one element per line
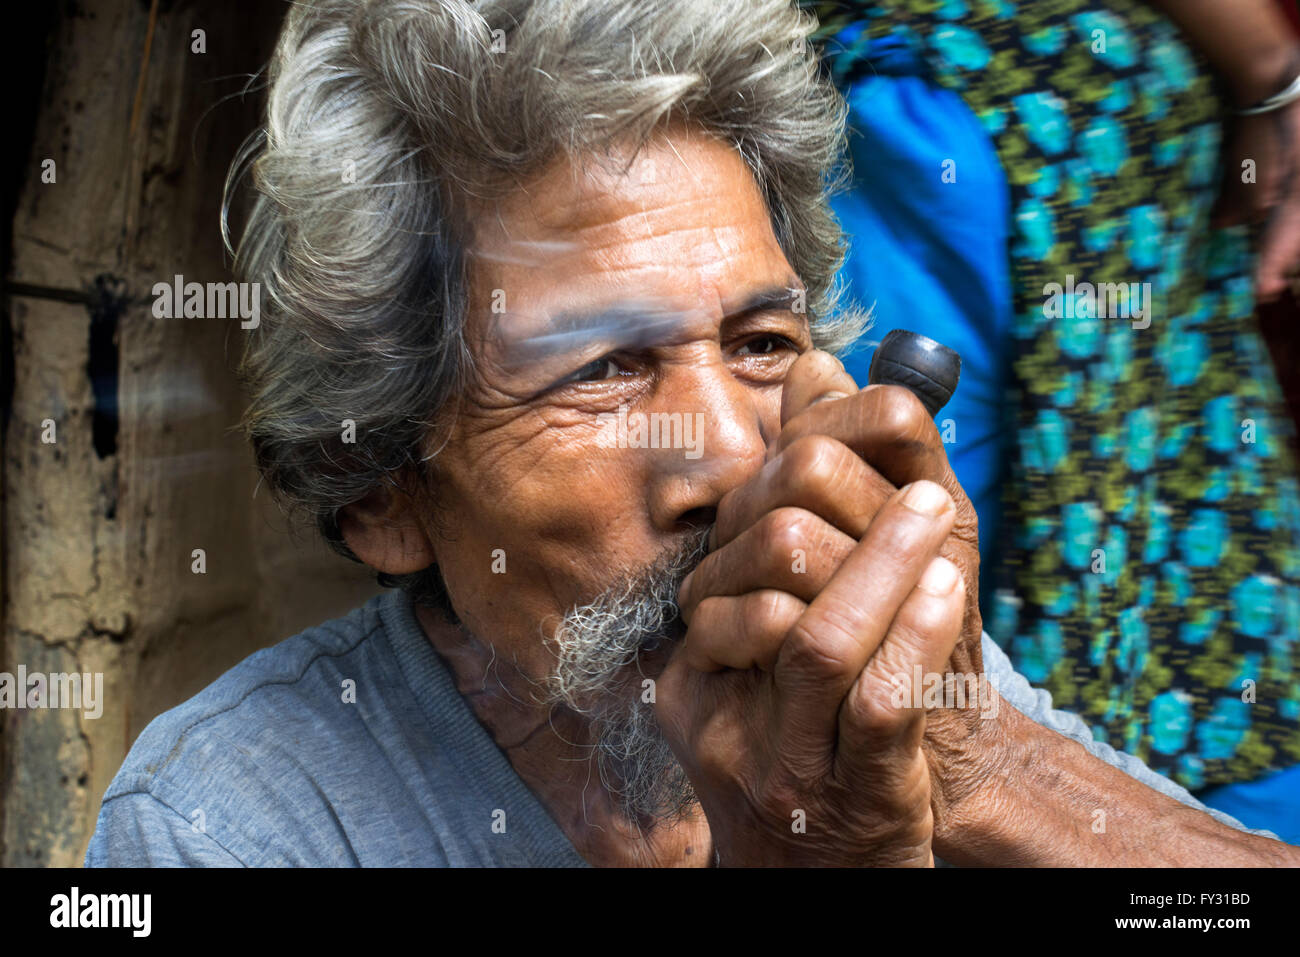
<point>1037,705</point>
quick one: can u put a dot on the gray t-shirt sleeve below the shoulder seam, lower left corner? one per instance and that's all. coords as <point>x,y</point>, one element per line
<point>137,830</point>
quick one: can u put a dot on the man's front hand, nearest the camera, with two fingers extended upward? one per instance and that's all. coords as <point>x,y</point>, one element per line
<point>783,712</point>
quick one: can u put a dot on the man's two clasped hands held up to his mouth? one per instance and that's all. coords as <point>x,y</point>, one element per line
<point>807,592</point>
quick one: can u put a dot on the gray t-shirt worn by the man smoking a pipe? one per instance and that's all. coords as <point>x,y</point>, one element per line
<point>349,746</point>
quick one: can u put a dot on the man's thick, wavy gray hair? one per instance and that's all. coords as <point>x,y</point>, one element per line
<point>387,118</point>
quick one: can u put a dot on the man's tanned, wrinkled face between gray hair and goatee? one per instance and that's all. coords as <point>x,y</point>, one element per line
<point>656,289</point>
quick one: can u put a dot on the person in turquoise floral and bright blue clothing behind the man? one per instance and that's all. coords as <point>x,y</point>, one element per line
<point>1128,454</point>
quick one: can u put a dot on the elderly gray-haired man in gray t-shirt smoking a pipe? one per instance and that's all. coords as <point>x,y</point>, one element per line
<point>548,347</point>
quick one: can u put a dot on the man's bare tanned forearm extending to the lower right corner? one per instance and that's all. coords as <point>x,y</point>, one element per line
<point>1045,800</point>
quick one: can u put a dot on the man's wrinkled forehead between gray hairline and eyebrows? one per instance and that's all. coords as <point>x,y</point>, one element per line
<point>630,246</point>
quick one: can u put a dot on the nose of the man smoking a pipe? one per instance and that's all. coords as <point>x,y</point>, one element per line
<point>726,430</point>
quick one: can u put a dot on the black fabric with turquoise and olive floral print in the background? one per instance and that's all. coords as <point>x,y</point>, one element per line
<point>1149,571</point>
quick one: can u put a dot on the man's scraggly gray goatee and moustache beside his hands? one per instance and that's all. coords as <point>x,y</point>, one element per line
<point>597,644</point>
